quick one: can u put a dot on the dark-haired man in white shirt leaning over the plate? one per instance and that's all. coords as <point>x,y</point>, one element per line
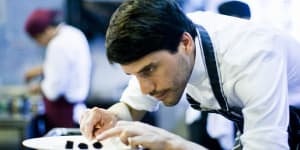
<point>166,52</point>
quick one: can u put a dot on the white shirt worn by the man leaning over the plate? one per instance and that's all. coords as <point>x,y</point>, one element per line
<point>260,72</point>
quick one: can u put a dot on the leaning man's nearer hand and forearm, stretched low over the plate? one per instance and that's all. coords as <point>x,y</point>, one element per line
<point>137,134</point>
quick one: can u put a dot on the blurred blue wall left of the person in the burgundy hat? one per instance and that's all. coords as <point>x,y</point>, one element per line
<point>17,51</point>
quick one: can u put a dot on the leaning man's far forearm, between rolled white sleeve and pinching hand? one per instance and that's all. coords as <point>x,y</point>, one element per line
<point>125,112</point>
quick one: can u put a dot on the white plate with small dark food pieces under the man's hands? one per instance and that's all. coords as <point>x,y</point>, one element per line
<point>59,143</point>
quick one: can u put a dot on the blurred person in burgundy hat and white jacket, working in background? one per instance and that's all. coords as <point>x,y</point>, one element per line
<point>66,69</point>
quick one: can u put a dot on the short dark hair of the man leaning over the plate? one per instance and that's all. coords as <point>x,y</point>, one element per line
<point>140,27</point>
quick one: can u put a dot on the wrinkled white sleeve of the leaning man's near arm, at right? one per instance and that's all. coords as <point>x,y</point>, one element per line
<point>263,88</point>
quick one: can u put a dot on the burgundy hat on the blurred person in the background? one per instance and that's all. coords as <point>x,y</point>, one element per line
<point>38,21</point>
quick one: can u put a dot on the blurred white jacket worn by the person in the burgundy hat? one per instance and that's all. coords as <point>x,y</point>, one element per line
<point>67,67</point>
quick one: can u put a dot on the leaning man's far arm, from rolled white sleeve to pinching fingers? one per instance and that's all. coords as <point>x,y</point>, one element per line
<point>132,106</point>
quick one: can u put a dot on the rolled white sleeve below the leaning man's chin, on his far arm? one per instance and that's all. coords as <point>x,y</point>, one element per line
<point>133,96</point>
